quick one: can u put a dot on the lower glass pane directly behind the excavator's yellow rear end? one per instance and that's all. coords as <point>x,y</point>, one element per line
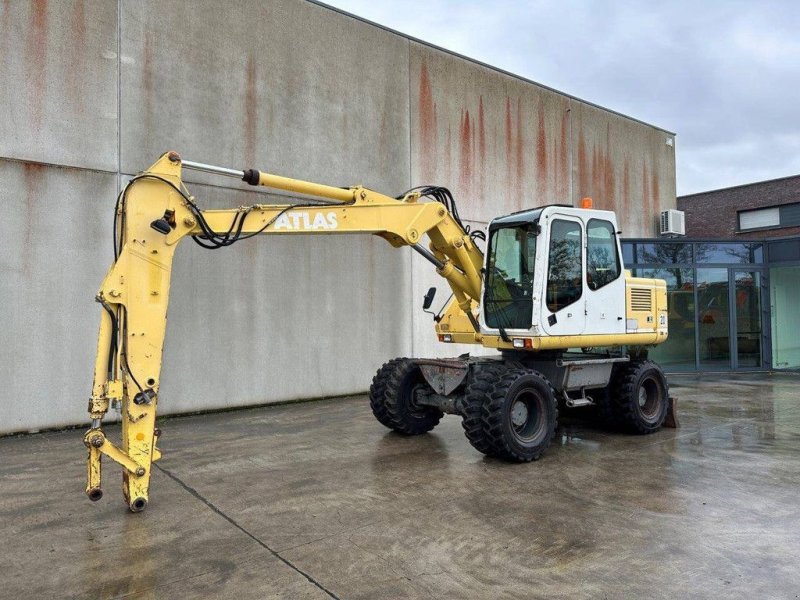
<point>678,352</point>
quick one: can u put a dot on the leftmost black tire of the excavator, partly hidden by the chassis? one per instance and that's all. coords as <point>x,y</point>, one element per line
<point>391,397</point>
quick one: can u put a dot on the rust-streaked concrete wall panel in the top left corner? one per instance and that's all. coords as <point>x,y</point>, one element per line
<point>58,68</point>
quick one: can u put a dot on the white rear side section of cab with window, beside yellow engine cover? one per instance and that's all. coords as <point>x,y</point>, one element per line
<point>605,279</point>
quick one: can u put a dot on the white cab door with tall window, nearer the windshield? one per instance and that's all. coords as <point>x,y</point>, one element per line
<point>563,310</point>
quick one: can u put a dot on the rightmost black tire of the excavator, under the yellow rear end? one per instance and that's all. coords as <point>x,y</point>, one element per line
<point>638,398</point>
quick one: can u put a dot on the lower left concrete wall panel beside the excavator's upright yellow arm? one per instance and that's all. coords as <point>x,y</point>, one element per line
<point>56,232</point>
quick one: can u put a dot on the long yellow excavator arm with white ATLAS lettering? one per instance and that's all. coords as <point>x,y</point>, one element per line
<point>155,212</point>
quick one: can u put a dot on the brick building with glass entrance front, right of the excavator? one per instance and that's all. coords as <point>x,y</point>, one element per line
<point>732,291</point>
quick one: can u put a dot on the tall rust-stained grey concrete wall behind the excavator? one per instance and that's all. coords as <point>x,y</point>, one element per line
<point>94,91</point>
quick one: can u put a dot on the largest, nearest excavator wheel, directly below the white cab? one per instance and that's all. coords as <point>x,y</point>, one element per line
<point>518,413</point>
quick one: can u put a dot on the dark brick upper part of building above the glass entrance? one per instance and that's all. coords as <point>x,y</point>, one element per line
<point>764,209</point>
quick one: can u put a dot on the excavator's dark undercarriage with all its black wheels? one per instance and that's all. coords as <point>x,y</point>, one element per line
<point>509,404</point>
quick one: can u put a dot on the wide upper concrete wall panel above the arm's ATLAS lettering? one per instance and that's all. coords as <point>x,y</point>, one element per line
<point>288,87</point>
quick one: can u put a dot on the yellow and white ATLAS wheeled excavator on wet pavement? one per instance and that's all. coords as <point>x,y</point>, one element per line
<point>549,293</point>
